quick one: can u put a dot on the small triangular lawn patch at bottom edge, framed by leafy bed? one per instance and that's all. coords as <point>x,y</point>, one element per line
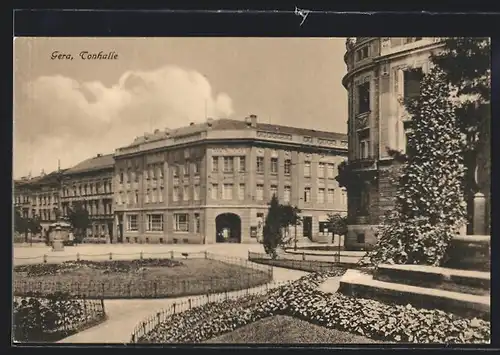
<point>287,330</point>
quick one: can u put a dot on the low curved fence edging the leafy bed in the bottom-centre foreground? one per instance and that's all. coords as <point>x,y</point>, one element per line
<point>162,316</point>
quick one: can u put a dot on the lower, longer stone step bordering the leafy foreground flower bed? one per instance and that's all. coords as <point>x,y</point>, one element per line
<point>357,283</point>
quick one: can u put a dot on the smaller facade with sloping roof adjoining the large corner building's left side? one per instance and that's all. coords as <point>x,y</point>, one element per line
<point>90,184</point>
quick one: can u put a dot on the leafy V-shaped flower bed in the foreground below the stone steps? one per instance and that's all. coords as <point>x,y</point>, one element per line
<point>302,299</point>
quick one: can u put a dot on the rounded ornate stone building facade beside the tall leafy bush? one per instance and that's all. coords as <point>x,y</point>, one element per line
<point>380,73</point>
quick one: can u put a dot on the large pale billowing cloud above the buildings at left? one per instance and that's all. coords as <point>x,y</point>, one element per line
<point>59,117</point>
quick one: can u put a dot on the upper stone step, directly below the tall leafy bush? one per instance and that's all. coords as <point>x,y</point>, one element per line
<point>465,281</point>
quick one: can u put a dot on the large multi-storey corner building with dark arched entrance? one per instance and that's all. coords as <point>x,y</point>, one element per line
<point>211,182</point>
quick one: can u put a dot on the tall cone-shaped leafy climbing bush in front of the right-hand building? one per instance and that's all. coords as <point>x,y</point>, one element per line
<point>430,207</point>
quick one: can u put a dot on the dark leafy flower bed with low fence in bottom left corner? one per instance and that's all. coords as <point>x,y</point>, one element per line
<point>53,317</point>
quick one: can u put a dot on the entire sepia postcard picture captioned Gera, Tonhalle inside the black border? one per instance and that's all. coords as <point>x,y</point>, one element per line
<point>251,190</point>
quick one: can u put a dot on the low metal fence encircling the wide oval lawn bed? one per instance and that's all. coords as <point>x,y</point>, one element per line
<point>254,275</point>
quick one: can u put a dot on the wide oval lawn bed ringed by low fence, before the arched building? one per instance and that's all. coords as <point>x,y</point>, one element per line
<point>146,278</point>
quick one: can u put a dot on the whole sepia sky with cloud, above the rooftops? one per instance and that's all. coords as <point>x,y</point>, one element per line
<point>73,109</point>
